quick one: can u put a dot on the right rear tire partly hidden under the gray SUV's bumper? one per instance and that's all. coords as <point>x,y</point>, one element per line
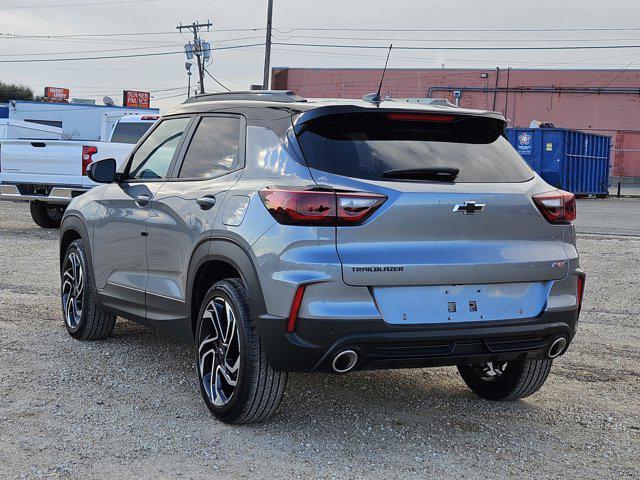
<point>507,380</point>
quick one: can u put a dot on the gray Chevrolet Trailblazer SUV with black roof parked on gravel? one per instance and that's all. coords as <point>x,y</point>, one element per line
<point>283,234</point>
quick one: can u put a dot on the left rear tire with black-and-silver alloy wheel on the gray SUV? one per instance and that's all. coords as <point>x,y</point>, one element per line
<point>258,388</point>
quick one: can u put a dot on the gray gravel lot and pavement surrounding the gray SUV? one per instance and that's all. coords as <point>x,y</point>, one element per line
<point>129,407</point>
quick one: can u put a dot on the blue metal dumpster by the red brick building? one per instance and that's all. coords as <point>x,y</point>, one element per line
<point>574,161</point>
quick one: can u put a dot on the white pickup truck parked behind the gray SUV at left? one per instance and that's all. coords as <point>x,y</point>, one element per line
<point>50,173</point>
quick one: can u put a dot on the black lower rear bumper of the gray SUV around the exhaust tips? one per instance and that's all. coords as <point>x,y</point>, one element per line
<point>380,345</point>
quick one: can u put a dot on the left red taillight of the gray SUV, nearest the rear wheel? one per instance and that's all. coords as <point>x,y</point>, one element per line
<point>319,208</point>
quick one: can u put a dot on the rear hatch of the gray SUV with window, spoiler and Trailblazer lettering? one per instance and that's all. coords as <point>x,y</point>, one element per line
<point>459,237</point>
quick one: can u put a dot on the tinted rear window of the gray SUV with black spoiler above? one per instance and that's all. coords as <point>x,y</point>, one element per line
<point>366,146</point>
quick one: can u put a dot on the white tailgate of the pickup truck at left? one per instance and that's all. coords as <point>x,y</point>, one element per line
<point>41,161</point>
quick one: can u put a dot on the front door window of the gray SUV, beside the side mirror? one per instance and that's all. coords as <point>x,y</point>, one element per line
<point>153,157</point>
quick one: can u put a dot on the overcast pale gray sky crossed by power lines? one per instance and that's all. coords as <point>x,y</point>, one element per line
<point>164,75</point>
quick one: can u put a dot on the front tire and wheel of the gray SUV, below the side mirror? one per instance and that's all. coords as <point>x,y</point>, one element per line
<point>83,316</point>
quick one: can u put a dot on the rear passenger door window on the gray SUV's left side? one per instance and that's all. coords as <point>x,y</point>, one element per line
<point>214,148</point>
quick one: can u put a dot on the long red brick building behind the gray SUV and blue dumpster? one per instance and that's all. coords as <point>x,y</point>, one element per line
<point>602,101</point>
